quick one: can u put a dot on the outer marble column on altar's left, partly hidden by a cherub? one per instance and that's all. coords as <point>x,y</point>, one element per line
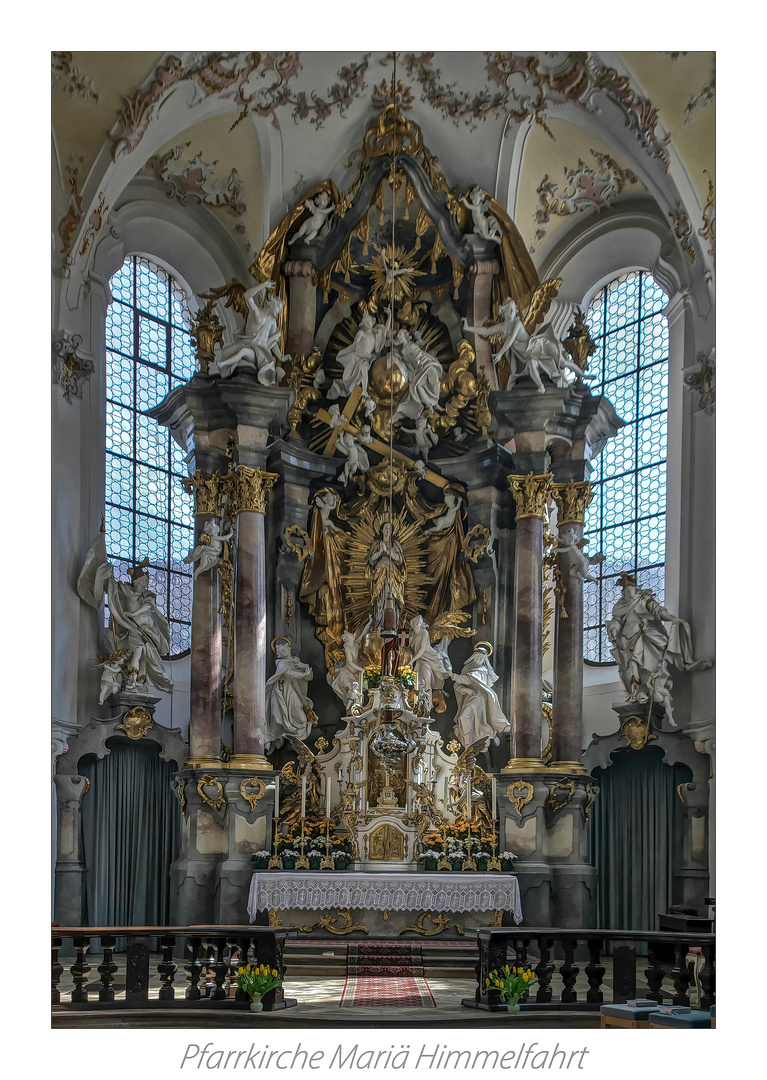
<point>206,668</point>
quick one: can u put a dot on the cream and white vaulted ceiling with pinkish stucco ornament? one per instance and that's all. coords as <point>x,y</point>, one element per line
<point>241,137</point>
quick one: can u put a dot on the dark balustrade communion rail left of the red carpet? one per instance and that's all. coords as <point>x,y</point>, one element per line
<point>214,954</point>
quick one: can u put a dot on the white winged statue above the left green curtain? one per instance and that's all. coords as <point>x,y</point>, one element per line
<point>137,625</point>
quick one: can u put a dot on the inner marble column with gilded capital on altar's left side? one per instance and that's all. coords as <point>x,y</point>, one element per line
<point>249,494</point>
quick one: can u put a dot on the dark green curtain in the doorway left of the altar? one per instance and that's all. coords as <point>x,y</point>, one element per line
<point>131,833</point>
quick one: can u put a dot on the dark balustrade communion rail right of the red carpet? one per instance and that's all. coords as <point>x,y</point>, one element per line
<point>550,951</point>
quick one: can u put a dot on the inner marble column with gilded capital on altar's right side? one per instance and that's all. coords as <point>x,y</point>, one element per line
<point>531,494</point>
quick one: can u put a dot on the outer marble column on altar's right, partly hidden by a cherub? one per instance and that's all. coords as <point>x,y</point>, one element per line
<point>572,503</point>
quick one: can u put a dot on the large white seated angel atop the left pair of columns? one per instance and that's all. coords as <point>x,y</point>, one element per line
<point>259,345</point>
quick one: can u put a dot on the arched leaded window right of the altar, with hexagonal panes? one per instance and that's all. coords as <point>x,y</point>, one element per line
<point>627,518</point>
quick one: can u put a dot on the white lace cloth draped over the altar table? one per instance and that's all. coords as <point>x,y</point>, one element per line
<point>436,892</point>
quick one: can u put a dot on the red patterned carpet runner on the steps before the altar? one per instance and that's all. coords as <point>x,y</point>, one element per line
<point>386,974</point>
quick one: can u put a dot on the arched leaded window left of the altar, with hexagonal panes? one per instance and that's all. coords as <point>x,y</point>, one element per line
<point>149,514</point>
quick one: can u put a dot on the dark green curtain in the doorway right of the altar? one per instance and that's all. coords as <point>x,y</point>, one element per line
<point>637,838</point>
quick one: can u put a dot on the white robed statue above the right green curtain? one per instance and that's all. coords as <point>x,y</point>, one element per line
<point>643,647</point>
